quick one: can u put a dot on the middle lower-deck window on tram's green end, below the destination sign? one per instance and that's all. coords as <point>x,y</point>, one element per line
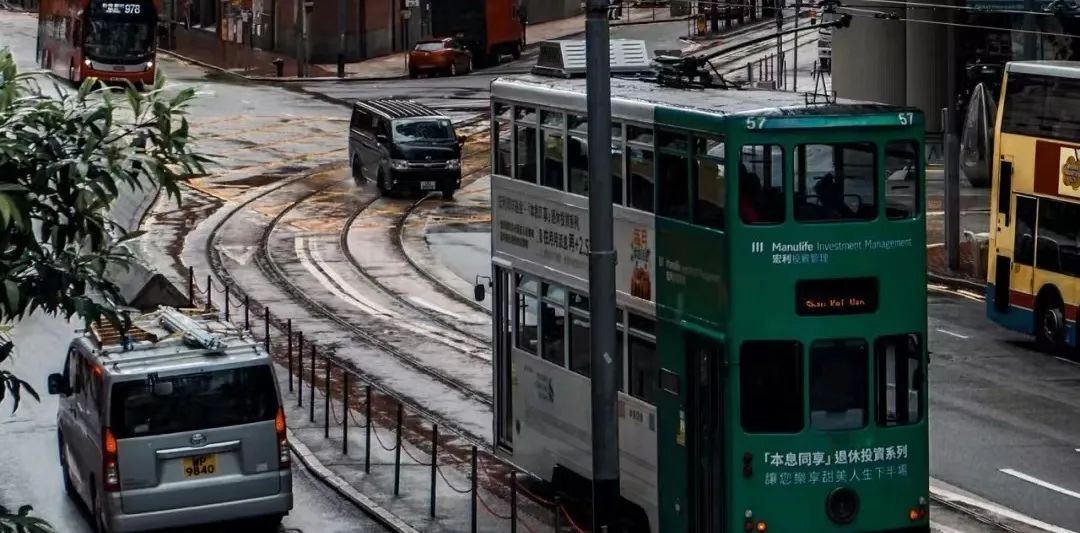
<point>839,389</point>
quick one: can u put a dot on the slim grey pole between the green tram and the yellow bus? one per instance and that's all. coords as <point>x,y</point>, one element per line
<point>952,153</point>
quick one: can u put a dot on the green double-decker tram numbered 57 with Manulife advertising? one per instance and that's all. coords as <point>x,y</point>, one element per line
<point>772,294</point>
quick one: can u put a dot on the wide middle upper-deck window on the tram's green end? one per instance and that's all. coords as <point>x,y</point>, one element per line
<point>835,183</point>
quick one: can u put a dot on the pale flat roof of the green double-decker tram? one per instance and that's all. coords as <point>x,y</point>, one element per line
<point>637,99</point>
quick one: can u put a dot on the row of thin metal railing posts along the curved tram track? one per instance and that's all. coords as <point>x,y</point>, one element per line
<point>349,402</point>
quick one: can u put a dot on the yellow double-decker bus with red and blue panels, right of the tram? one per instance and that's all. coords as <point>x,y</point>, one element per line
<point>1034,261</point>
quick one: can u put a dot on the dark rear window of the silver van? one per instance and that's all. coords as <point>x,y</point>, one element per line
<point>194,402</point>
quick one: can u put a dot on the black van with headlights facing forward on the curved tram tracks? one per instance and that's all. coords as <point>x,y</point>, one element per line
<point>404,146</point>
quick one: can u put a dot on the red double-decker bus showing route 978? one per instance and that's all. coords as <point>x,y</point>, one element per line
<point>112,40</point>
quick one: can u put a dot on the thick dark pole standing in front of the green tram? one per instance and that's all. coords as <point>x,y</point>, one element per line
<point>602,259</point>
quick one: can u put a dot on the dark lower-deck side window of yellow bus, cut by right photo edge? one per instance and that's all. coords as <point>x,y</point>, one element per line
<point>1059,240</point>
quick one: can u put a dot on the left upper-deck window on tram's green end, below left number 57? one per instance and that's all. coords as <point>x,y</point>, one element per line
<point>762,185</point>
